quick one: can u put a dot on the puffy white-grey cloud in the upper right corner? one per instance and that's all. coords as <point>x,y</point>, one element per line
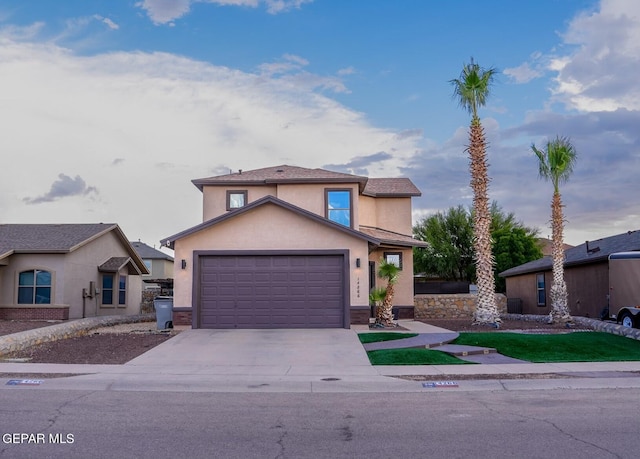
<point>601,72</point>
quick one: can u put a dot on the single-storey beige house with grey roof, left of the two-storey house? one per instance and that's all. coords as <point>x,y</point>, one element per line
<point>68,271</point>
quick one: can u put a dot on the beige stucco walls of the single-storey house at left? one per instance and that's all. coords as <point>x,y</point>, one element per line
<point>70,274</point>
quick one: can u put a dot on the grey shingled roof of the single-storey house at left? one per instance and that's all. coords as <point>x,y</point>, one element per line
<point>58,238</point>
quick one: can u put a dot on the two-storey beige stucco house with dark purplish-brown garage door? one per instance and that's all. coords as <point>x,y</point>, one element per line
<point>287,246</point>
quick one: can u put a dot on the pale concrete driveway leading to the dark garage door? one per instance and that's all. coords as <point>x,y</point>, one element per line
<point>274,352</point>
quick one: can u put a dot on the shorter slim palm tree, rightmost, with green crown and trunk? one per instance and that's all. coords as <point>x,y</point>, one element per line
<point>556,165</point>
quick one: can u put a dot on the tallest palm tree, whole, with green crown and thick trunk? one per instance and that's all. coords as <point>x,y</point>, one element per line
<point>472,90</point>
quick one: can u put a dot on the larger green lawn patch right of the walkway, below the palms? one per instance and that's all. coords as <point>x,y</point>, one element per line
<point>569,347</point>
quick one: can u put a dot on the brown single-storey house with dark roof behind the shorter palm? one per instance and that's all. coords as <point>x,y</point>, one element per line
<point>586,271</point>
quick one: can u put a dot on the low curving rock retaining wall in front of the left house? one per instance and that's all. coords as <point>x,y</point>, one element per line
<point>22,340</point>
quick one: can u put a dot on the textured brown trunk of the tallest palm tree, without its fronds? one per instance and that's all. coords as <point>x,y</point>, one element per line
<point>486,309</point>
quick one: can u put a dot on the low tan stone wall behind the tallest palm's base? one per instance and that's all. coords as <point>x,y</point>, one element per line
<point>456,306</point>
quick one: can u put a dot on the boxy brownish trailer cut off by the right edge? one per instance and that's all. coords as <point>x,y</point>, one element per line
<point>624,288</point>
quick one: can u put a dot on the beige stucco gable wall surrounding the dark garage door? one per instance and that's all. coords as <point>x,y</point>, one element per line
<point>269,227</point>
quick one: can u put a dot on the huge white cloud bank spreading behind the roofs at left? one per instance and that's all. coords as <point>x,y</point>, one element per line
<point>140,126</point>
